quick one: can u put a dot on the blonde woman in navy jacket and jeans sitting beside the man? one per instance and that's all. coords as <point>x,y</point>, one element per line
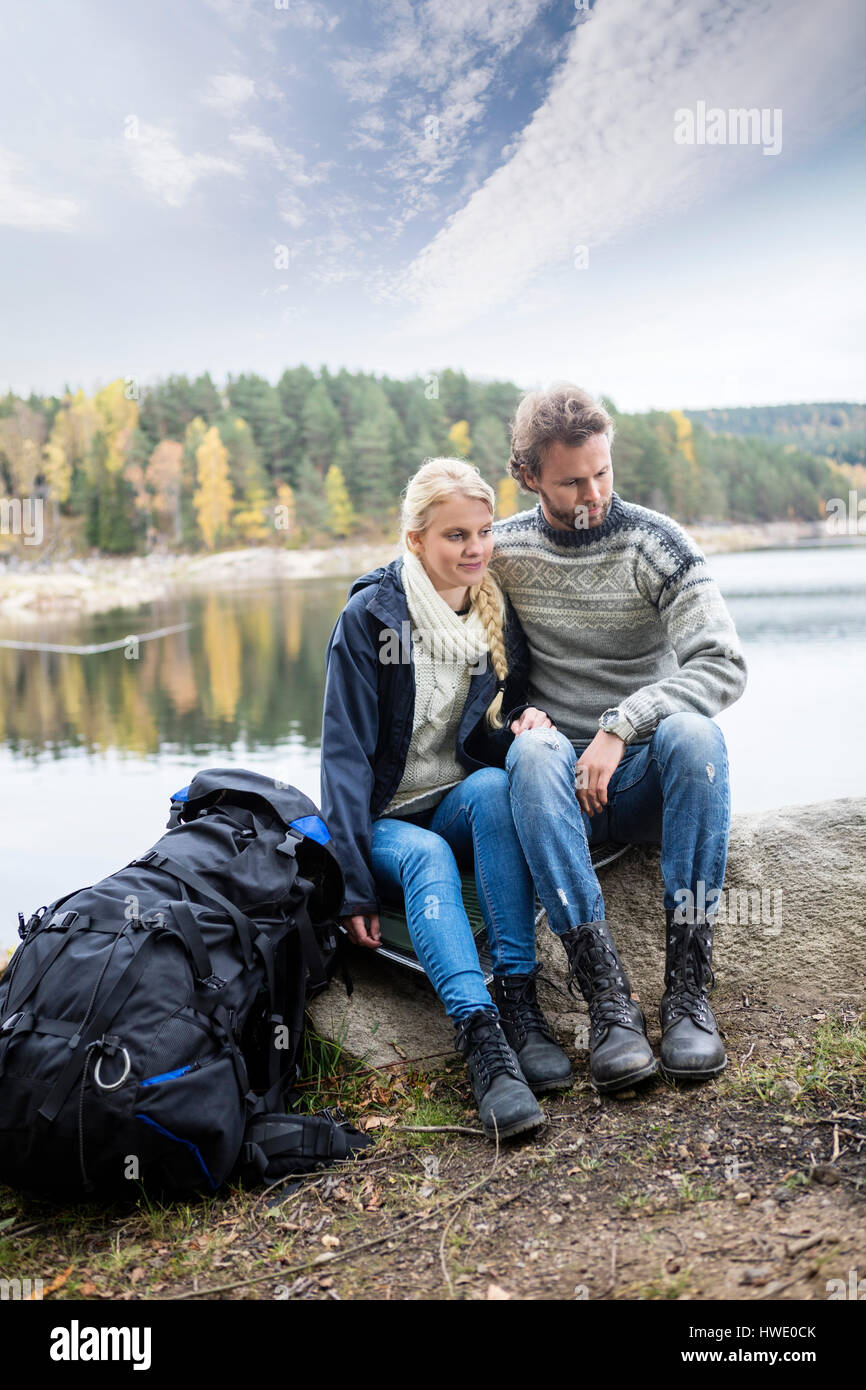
<point>423,660</point>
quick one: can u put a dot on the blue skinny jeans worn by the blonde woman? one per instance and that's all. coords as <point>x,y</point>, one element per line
<point>420,861</point>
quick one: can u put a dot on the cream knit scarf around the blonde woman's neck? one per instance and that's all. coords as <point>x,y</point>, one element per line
<point>452,640</point>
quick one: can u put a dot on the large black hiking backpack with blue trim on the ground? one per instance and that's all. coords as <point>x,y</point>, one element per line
<point>152,1025</point>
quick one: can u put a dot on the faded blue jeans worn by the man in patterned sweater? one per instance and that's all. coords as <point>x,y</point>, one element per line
<point>671,790</point>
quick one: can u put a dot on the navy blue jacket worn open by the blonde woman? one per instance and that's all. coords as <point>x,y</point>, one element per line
<point>370,694</point>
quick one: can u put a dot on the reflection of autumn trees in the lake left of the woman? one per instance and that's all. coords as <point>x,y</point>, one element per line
<point>250,665</point>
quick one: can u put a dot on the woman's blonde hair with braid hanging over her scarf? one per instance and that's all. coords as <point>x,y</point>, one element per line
<point>437,482</point>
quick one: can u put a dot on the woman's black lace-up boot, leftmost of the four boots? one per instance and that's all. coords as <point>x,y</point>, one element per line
<point>505,1103</point>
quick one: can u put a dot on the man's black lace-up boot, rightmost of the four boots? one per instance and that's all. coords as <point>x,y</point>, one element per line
<point>692,1047</point>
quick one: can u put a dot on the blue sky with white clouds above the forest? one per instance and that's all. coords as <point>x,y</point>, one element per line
<point>525,190</point>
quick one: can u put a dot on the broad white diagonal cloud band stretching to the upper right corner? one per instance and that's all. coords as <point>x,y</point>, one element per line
<point>598,158</point>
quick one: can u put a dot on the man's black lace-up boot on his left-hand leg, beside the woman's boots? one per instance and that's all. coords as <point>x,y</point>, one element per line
<point>619,1052</point>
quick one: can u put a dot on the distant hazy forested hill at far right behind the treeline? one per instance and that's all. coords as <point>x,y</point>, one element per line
<point>836,430</point>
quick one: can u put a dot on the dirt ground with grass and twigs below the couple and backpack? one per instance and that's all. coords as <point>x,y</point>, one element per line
<point>750,1188</point>
